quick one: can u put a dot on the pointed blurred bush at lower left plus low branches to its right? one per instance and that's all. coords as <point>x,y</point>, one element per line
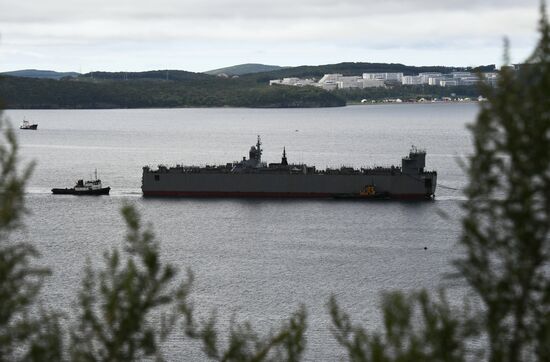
<point>120,314</point>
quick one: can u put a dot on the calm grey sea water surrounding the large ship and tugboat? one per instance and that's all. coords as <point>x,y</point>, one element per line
<point>254,260</point>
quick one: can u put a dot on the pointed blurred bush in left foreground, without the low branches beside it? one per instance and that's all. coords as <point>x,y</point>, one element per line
<point>117,304</point>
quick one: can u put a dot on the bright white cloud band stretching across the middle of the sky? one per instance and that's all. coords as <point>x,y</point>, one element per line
<point>398,27</point>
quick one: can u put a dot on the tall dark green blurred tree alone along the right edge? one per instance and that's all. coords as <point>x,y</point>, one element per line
<point>507,228</point>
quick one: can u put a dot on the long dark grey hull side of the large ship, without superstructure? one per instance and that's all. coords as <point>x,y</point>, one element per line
<point>257,185</point>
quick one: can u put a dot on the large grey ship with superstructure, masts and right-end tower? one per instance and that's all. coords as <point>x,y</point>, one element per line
<point>253,178</point>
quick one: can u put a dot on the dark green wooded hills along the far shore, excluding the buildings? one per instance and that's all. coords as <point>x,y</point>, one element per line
<point>173,88</point>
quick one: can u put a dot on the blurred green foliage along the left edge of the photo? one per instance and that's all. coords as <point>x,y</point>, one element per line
<point>23,335</point>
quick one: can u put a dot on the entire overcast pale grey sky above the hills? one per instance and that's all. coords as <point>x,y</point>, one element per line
<point>199,35</point>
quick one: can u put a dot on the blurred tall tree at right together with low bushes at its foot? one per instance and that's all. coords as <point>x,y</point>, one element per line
<point>506,237</point>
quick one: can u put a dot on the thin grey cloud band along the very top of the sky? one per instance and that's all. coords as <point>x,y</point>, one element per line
<point>81,10</point>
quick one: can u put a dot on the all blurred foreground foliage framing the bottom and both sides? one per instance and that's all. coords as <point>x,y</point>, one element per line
<point>506,237</point>
